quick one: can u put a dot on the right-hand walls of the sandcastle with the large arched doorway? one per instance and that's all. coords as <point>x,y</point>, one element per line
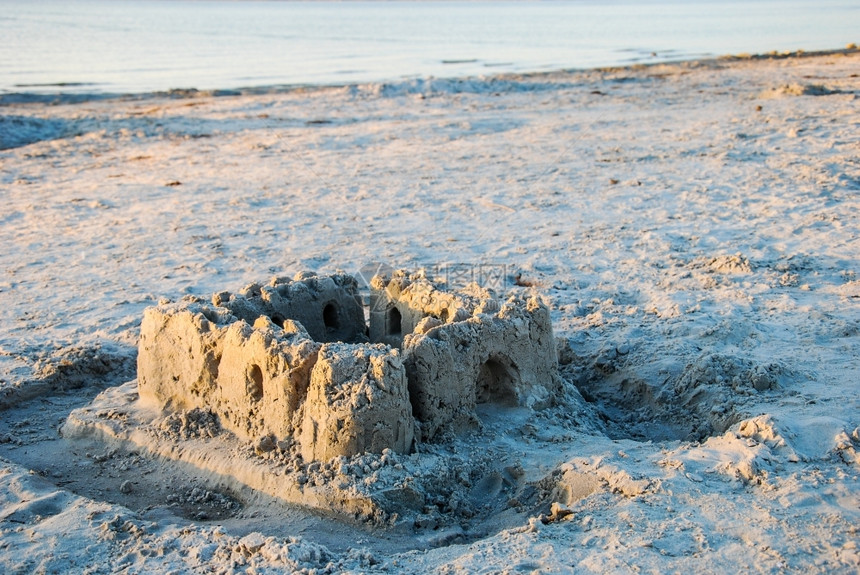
<point>464,348</point>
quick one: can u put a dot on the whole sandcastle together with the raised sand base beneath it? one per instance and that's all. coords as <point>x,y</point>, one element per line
<point>305,402</point>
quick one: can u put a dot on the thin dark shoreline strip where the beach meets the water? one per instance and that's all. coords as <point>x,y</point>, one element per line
<point>15,98</point>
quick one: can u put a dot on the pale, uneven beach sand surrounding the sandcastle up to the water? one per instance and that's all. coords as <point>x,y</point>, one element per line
<point>693,228</point>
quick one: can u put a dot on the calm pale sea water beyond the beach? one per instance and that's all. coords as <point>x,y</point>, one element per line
<point>134,46</point>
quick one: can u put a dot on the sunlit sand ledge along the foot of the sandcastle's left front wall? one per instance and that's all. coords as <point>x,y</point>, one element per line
<point>116,419</point>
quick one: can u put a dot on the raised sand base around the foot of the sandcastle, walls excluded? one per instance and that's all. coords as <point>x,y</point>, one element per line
<point>460,483</point>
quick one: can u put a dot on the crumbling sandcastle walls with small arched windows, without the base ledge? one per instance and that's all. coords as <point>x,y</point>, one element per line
<point>295,360</point>
